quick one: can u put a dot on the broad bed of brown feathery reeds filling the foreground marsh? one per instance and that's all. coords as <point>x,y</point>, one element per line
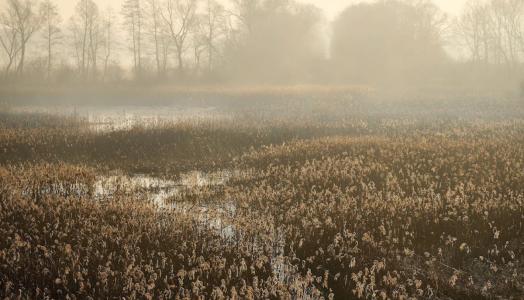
<point>398,206</point>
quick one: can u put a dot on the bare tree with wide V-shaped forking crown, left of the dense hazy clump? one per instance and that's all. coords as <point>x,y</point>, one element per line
<point>179,16</point>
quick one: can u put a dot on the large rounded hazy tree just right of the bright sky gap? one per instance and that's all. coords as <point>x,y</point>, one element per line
<point>380,40</point>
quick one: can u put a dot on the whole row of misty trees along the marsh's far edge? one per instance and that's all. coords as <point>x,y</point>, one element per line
<point>253,40</point>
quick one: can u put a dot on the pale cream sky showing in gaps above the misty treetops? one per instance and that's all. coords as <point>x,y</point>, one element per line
<point>331,7</point>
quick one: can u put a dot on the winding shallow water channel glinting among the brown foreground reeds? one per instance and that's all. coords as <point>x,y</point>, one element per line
<point>171,200</point>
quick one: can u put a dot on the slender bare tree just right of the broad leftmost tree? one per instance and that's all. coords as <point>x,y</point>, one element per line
<point>51,21</point>
